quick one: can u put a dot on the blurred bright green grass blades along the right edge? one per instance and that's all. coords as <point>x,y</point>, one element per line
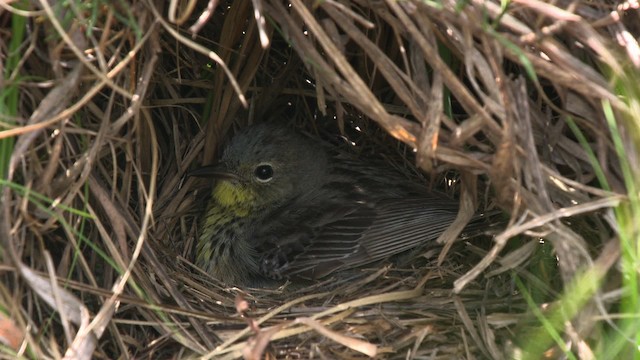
<point>622,340</point>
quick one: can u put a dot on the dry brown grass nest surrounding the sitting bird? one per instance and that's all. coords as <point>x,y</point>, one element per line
<point>526,107</point>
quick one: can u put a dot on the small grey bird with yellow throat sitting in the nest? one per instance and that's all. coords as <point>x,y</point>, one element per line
<point>284,206</point>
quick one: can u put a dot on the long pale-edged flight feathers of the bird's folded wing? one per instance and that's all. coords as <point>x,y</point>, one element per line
<point>371,232</point>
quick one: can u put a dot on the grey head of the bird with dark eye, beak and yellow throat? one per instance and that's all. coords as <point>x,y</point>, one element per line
<point>264,166</point>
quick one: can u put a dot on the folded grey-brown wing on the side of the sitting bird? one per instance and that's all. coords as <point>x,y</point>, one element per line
<point>334,238</point>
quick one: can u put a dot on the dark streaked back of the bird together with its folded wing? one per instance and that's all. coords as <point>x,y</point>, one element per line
<point>362,214</point>
